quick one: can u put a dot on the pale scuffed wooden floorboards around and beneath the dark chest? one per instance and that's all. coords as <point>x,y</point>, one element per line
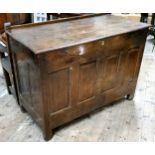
<point>124,121</point>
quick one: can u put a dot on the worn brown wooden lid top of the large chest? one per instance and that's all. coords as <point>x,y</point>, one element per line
<point>38,37</point>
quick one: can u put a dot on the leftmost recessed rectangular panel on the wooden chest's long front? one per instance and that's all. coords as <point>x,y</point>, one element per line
<point>59,90</point>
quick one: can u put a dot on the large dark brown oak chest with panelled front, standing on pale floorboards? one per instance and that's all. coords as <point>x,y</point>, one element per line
<point>67,68</point>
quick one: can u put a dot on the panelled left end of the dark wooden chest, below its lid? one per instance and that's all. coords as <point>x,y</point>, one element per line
<point>27,77</point>
